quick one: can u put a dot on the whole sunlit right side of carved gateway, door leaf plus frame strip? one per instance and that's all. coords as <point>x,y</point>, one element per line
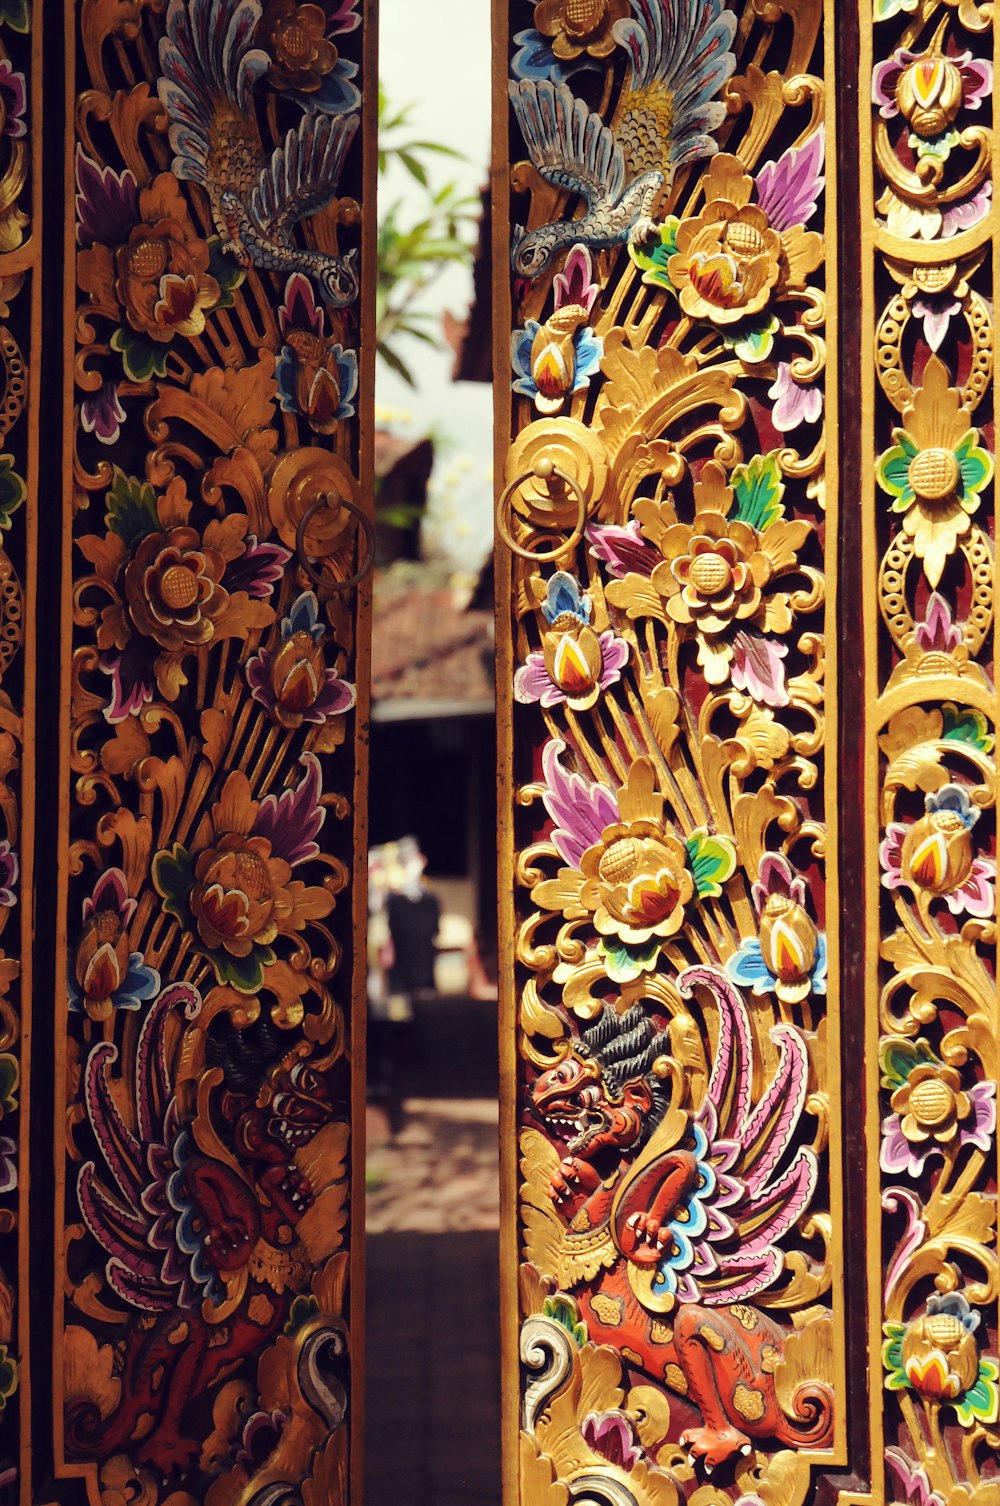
<point>748,745</point>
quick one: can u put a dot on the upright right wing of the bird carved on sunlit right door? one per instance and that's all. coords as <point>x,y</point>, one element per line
<point>681,56</point>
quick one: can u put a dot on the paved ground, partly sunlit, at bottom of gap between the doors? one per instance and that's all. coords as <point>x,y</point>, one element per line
<point>433,1389</point>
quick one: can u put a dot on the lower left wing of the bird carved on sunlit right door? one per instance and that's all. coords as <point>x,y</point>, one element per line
<point>569,142</point>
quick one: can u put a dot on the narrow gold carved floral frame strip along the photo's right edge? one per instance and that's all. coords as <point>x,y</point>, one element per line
<point>928,424</point>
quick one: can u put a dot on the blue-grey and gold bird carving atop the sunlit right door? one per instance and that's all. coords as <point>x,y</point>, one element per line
<point>680,56</point>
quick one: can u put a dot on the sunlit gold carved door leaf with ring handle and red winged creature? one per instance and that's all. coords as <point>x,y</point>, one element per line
<point>668,525</point>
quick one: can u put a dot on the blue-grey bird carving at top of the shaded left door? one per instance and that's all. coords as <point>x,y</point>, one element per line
<point>210,70</point>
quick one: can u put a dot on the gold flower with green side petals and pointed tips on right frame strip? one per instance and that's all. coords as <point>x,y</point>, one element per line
<point>936,471</point>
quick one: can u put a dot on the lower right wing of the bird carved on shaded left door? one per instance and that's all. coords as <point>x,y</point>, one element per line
<point>303,172</point>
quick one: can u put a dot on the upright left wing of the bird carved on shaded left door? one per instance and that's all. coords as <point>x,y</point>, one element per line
<point>209,66</point>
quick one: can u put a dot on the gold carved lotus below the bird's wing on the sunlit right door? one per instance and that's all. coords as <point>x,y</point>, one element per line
<point>730,260</point>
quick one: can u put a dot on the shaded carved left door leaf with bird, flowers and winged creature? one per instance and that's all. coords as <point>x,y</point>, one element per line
<point>216,532</point>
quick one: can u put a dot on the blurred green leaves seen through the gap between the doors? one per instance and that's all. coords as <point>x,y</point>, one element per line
<point>415,252</point>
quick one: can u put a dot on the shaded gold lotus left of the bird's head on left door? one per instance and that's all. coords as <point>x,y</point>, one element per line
<point>162,275</point>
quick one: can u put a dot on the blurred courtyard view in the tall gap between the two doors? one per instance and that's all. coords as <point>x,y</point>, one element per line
<point>433,1376</point>
